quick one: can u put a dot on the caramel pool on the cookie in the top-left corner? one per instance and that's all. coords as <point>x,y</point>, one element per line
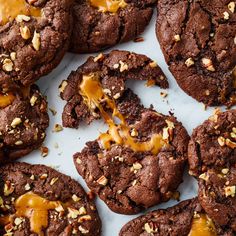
<point>10,9</point>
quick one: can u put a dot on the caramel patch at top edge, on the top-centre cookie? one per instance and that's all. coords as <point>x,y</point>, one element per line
<point>108,5</point>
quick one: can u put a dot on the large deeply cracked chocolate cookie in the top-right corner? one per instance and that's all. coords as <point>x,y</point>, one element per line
<point>199,44</point>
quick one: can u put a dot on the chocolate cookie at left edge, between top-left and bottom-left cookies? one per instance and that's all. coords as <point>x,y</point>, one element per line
<point>24,120</point>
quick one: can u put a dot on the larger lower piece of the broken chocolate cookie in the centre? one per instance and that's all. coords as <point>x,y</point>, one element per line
<point>128,178</point>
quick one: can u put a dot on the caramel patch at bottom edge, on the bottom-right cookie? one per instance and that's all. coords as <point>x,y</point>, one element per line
<point>202,226</point>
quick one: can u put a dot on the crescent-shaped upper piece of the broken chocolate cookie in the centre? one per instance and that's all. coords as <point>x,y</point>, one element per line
<point>113,70</point>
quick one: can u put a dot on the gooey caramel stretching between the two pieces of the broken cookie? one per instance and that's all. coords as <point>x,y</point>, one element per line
<point>93,95</point>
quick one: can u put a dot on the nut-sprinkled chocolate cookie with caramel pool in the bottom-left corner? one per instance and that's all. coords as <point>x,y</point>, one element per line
<point>37,200</point>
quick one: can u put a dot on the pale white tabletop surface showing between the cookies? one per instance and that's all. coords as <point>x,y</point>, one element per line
<point>188,111</point>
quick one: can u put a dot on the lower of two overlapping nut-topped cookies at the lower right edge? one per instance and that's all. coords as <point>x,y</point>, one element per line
<point>217,195</point>
